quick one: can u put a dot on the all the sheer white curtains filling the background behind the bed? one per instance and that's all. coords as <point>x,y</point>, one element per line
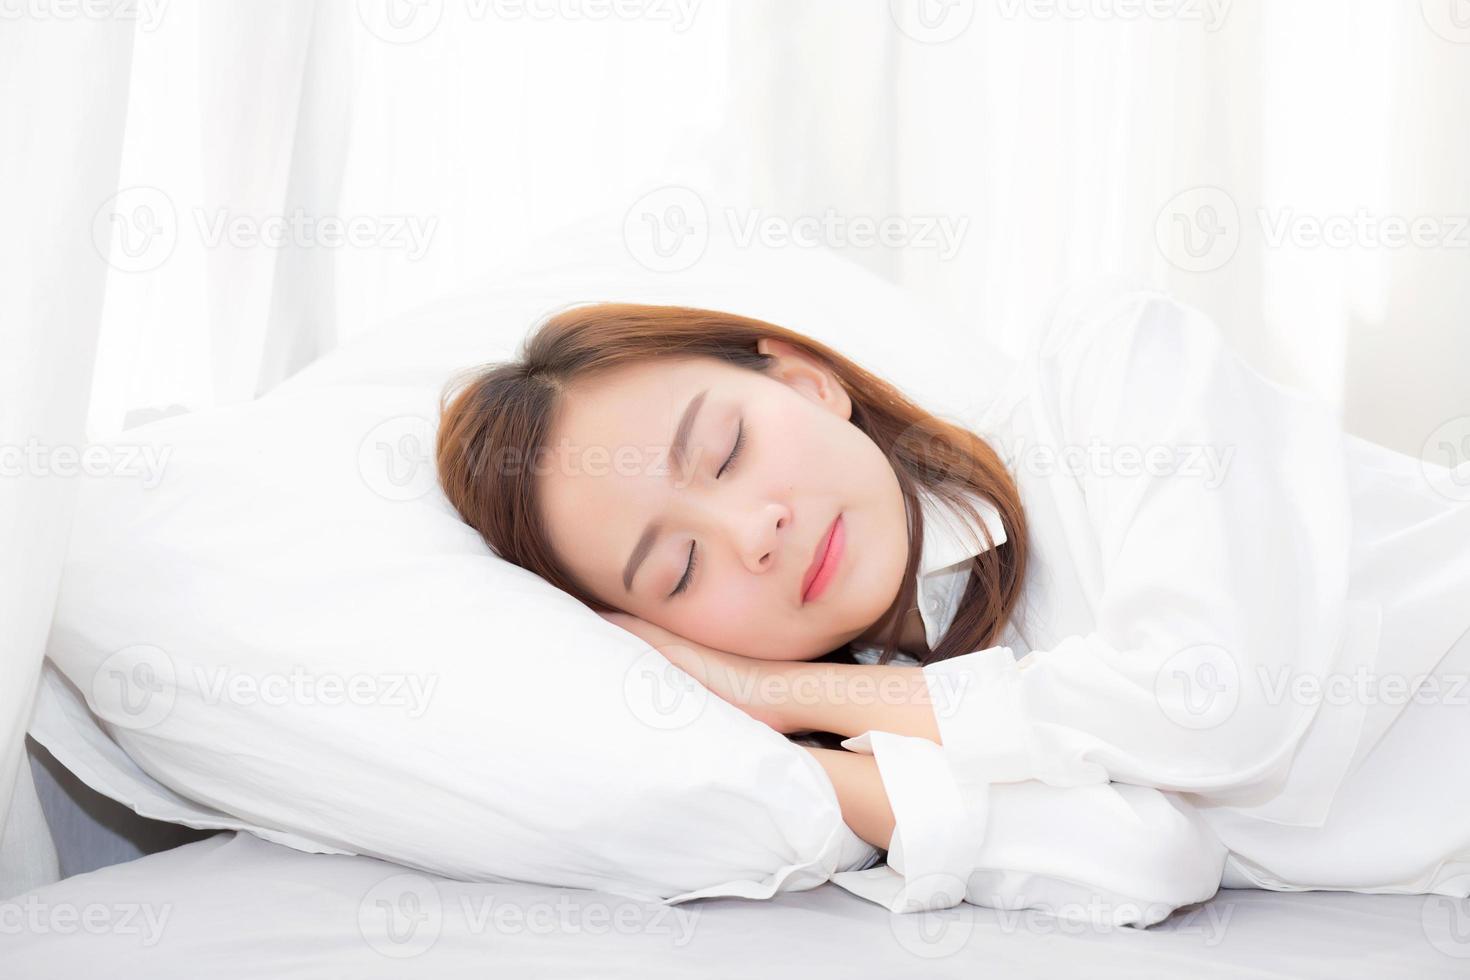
<point>214,195</point>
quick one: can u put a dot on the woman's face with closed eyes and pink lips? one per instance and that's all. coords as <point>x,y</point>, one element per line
<point>624,511</point>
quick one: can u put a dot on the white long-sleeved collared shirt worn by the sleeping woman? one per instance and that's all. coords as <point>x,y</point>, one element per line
<point>1158,740</point>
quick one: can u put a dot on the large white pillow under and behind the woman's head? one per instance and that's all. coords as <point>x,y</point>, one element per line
<point>293,634</point>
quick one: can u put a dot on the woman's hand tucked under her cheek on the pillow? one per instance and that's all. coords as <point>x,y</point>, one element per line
<point>755,687</point>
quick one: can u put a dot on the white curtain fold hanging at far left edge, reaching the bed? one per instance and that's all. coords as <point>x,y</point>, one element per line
<point>64,98</point>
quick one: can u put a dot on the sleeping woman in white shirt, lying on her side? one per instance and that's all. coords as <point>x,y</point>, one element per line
<point>1146,627</point>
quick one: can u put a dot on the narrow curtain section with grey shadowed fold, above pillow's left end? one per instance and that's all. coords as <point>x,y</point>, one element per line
<point>236,145</point>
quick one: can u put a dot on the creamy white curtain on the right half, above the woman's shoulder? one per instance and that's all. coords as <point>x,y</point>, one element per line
<point>1084,139</point>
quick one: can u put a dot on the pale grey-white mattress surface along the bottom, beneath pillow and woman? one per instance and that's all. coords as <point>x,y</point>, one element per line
<point>234,906</point>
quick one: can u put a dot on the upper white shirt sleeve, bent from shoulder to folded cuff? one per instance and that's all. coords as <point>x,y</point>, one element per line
<point>1215,587</point>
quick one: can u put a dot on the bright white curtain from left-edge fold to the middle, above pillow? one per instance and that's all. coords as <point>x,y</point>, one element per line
<point>314,168</point>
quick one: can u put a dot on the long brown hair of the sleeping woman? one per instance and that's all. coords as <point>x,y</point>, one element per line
<point>505,414</point>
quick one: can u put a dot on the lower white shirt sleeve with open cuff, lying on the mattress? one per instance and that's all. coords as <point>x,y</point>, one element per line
<point>1105,854</point>
